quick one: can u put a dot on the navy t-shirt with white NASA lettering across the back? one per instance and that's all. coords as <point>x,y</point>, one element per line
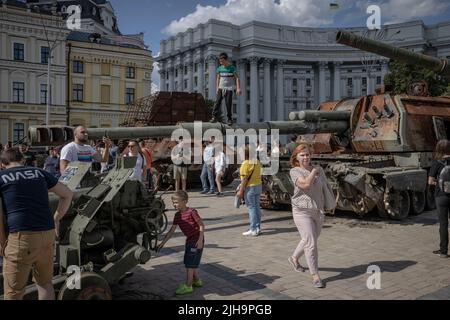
<point>24,191</point>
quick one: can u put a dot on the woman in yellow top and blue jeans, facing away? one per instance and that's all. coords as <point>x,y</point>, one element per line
<point>251,189</point>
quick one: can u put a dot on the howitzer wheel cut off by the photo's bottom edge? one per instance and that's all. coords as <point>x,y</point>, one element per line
<point>93,287</point>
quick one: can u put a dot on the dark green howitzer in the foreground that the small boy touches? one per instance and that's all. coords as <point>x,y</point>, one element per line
<point>109,229</point>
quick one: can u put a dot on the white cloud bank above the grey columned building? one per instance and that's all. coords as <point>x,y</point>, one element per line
<point>310,13</point>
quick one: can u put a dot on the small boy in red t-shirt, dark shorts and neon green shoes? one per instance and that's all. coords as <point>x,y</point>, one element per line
<point>193,228</point>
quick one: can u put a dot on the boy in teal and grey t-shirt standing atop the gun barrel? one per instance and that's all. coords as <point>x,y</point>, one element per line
<point>227,80</point>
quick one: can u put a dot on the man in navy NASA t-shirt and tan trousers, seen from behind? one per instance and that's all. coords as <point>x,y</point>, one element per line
<point>27,239</point>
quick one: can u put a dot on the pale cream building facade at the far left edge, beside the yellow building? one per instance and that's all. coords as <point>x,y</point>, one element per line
<point>24,54</point>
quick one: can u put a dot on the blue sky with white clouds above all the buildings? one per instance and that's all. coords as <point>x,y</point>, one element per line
<point>161,19</point>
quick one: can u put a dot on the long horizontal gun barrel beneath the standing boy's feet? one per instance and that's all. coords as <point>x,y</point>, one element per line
<point>59,135</point>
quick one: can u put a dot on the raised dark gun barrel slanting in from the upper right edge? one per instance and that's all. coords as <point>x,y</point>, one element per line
<point>399,54</point>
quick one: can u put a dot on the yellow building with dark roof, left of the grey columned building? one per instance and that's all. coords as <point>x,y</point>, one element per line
<point>106,74</point>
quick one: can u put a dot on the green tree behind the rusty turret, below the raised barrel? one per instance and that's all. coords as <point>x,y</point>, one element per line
<point>401,75</point>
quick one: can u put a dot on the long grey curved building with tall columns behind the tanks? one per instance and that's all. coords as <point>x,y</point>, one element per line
<point>284,68</point>
